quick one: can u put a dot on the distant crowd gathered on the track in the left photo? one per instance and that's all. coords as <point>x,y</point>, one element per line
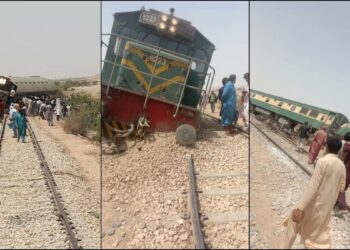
<point>45,107</point>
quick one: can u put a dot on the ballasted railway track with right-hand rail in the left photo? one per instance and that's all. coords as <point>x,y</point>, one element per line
<point>38,217</point>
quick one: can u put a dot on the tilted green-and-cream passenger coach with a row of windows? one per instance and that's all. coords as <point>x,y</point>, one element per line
<point>295,112</point>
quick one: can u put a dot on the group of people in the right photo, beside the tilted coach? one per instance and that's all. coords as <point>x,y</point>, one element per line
<point>325,193</point>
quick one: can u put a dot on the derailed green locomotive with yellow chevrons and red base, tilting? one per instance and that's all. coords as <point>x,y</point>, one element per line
<point>156,69</point>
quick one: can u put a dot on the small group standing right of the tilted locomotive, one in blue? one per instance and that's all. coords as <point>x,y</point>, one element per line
<point>228,98</point>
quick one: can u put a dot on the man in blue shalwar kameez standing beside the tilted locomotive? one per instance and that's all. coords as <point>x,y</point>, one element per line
<point>228,100</point>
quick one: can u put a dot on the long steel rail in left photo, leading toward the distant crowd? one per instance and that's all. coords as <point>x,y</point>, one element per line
<point>62,215</point>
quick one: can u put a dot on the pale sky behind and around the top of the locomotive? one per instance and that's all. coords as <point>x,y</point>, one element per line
<point>225,24</point>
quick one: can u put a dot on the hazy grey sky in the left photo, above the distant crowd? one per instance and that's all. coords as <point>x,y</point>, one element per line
<point>50,39</point>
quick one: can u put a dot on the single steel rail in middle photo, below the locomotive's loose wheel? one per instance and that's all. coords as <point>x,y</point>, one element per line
<point>193,199</point>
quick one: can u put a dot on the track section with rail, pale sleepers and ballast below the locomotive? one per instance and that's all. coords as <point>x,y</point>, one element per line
<point>235,211</point>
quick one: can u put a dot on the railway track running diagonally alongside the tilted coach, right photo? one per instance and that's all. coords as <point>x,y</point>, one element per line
<point>307,170</point>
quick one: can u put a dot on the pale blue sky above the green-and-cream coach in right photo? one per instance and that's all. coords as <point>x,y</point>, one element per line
<point>301,51</point>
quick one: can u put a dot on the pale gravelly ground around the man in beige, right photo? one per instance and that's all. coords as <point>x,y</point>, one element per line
<point>276,185</point>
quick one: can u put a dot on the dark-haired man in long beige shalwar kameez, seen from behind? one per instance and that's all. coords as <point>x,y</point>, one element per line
<point>311,217</point>
